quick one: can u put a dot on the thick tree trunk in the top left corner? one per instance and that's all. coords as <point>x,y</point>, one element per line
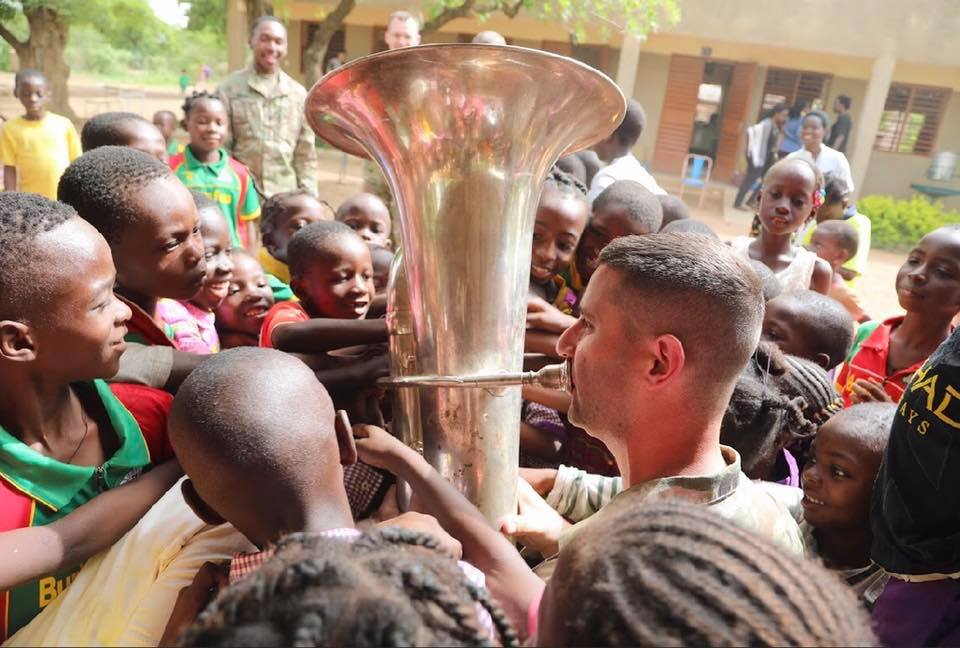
<point>44,51</point>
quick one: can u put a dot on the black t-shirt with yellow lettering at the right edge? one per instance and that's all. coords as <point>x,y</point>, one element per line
<point>915,512</point>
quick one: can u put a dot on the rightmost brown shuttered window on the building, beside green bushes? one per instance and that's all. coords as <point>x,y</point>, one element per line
<point>911,119</point>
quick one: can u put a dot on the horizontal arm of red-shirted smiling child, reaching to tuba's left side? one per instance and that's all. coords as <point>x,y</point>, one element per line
<point>324,334</point>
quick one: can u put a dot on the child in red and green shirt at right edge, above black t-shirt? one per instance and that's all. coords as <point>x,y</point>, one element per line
<point>886,354</point>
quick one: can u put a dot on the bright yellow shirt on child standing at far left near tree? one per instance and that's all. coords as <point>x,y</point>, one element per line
<point>40,149</point>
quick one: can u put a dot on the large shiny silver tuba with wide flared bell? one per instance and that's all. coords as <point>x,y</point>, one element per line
<point>464,135</point>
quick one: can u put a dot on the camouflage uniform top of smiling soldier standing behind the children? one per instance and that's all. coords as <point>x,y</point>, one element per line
<point>269,131</point>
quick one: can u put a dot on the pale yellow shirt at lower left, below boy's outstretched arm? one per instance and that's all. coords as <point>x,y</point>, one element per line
<point>124,596</point>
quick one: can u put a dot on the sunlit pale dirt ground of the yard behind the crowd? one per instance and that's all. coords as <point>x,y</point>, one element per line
<point>341,177</point>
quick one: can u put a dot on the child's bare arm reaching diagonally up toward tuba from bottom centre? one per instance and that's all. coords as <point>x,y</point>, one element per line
<point>509,579</point>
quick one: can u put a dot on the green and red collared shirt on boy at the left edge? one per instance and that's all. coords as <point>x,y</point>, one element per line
<point>36,490</point>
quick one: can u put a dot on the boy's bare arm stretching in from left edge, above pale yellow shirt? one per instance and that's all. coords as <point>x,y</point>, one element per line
<point>35,551</point>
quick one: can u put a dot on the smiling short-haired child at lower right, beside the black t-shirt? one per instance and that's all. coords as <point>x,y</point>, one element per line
<point>837,485</point>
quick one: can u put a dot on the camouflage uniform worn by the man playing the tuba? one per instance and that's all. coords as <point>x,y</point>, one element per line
<point>583,498</point>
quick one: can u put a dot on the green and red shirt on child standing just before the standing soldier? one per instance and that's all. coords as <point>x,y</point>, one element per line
<point>226,182</point>
